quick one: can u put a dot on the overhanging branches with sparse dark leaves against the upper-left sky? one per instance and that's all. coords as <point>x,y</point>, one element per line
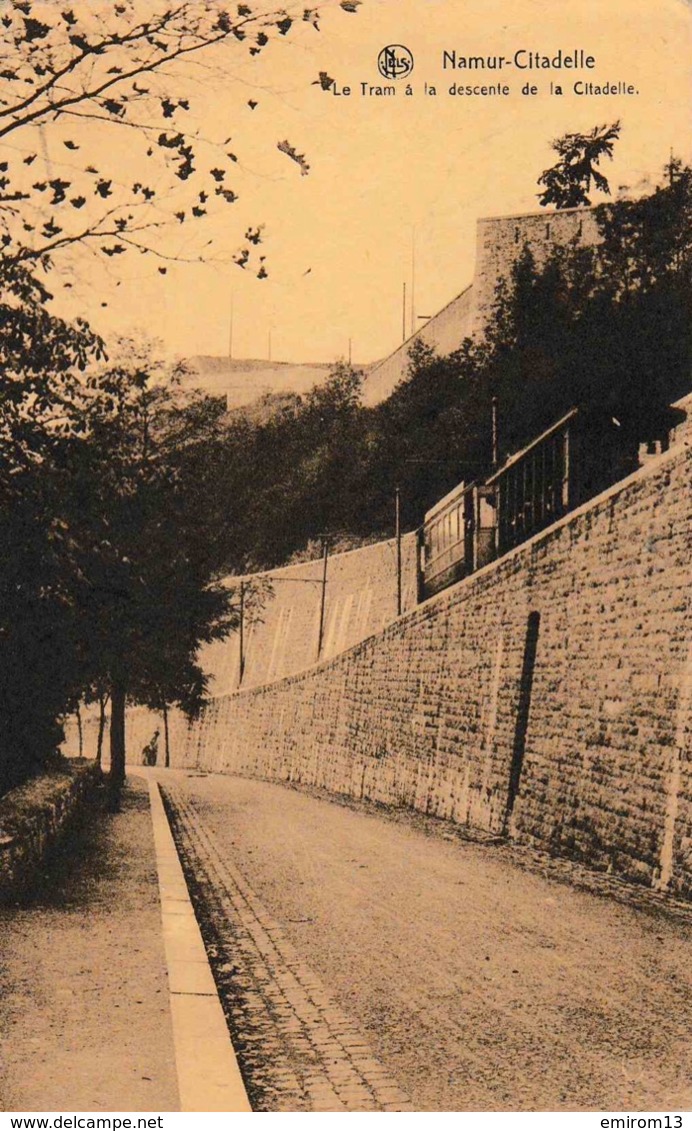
<point>110,68</point>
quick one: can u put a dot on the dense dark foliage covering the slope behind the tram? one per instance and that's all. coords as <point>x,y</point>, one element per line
<point>608,325</point>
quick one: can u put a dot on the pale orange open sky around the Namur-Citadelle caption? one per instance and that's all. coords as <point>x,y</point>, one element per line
<point>396,184</point>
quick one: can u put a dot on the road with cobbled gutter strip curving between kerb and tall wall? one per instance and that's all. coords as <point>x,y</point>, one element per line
<point>375,963</point>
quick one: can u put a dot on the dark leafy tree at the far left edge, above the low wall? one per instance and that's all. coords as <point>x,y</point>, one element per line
<point>41,671</point>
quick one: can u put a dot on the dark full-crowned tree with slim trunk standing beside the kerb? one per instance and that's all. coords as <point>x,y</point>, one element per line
<point>146,593</point>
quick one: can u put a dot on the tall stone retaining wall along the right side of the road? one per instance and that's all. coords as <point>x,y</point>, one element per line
<point>560,677</point>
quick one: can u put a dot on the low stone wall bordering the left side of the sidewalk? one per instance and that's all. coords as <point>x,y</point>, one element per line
<point>34,818</point>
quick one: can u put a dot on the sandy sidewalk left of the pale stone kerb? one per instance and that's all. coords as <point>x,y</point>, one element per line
<point>85,1021</point>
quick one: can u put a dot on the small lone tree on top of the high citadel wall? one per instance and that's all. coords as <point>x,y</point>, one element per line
<point>568,184</point>
